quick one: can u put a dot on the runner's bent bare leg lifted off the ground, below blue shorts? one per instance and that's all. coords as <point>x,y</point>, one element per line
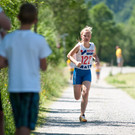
<point>77,91</point>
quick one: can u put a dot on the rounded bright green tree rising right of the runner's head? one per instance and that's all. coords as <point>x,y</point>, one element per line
<point>104,31</point>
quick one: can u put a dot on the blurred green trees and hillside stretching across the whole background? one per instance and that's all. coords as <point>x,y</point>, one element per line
<point>61,22</point>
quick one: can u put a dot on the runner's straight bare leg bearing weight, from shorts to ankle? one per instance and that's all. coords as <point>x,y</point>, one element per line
<point>85,93</point>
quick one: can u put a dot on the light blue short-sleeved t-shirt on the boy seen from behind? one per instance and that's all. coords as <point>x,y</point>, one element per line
<point>23,49</point>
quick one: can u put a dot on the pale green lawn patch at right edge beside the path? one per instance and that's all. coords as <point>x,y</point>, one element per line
<point>126,82</point>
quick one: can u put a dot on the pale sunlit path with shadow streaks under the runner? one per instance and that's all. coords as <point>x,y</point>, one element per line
<point>110,111</point>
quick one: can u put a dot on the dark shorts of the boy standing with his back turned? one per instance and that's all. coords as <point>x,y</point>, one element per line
<point>25,109</point>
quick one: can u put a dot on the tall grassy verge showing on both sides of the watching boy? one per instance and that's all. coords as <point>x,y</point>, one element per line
<point>53,81</point>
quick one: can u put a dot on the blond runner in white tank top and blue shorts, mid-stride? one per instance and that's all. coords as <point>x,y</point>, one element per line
<point>85,51</point>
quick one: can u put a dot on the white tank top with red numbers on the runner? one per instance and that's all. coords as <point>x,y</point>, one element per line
<point>85,56</point>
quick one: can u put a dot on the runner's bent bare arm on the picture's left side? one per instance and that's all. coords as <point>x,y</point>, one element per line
<point>71,54</point>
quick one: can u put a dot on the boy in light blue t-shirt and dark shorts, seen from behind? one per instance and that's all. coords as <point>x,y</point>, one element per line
<point>25,53</point>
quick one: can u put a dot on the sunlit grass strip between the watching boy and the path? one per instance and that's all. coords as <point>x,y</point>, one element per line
<point>53,84</point>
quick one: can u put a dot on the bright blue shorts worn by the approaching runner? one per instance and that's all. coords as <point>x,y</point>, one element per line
<point>80,76</point>
